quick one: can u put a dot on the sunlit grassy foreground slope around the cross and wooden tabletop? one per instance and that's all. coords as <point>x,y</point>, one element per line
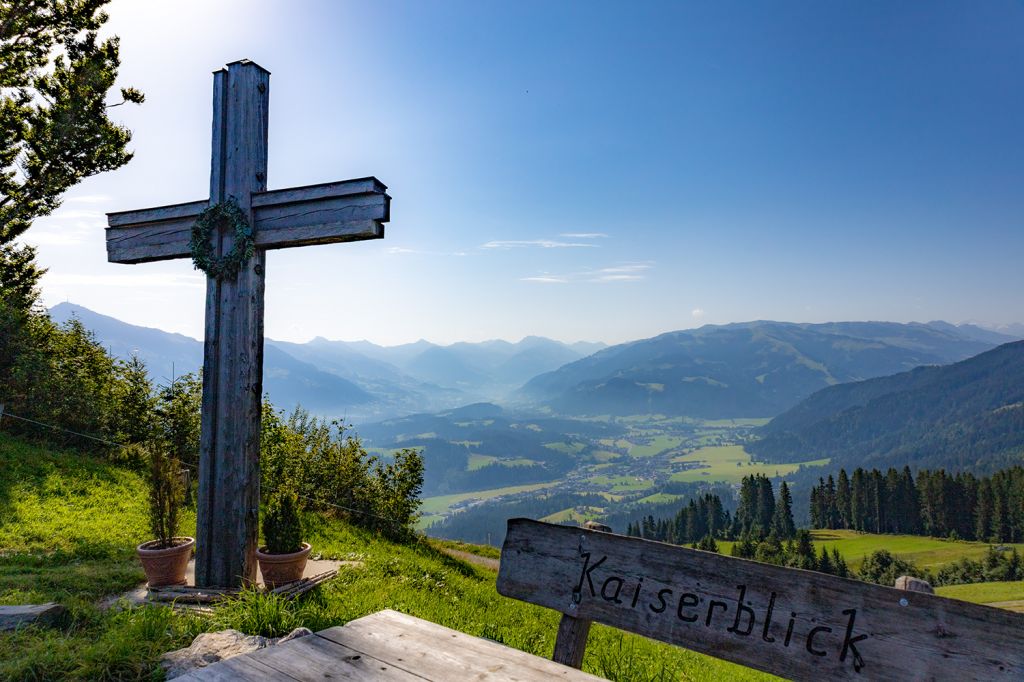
<point>68,529</point>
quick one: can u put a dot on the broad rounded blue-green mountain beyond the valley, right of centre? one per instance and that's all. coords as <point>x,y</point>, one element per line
<point>758,369</point>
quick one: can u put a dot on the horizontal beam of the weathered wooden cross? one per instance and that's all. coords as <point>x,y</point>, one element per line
<point>347,211</point>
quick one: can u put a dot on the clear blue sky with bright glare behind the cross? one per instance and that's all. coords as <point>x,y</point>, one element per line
<point>601,172</point>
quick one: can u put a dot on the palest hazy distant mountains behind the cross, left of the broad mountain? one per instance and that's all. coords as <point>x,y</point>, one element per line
<point>357,380</point>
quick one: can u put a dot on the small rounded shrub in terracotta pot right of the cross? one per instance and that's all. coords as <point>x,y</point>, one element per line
<point>284,557</point>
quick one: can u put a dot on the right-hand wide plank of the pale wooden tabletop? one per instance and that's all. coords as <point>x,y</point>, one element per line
<point>437,653</point>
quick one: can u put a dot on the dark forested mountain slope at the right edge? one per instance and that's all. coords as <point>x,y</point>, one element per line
<point>966,416</point>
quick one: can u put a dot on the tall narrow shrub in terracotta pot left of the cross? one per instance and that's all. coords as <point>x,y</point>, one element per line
<point>166,559</point>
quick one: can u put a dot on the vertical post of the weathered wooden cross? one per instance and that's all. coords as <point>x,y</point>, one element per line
<point>228,514</point>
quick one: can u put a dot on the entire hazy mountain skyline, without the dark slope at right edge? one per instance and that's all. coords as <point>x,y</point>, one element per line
<point>758,369</point>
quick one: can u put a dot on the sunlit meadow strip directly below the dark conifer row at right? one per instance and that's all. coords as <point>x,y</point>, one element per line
<point>931,553</point>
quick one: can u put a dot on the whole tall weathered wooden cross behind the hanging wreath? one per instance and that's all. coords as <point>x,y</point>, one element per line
<point>233,366</point>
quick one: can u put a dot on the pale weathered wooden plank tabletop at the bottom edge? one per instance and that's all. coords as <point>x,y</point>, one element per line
<point>390,646</point>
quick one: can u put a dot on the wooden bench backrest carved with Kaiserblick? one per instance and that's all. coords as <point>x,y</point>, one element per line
<point>798,624</point>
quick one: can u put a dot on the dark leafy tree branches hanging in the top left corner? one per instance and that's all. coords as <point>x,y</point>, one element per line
<point>56,74</point>
